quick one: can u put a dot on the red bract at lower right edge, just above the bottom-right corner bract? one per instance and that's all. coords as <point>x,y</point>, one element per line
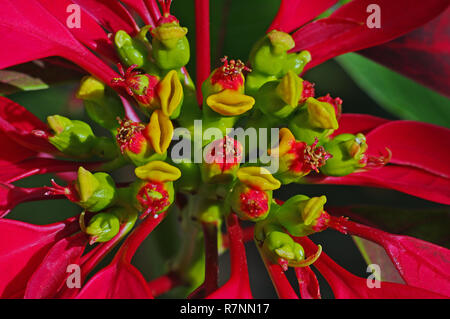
<point>420,263</point>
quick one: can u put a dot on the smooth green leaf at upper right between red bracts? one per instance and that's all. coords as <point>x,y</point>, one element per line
<point>396,93</point>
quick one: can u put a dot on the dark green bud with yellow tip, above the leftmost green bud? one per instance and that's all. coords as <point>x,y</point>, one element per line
<point>101,105</point>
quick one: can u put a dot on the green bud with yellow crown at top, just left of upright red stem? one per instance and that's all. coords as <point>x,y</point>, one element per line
<point>170,47</point>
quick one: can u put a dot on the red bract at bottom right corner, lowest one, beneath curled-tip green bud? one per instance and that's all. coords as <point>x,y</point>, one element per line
<point>348,286</point>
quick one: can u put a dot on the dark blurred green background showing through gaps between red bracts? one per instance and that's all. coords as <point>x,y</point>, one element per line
<point>364,87</point>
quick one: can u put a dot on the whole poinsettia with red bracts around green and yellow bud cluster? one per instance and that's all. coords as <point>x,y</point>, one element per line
<point>131,59</point>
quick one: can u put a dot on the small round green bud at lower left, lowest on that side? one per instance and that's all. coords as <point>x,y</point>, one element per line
<point>103,227</point>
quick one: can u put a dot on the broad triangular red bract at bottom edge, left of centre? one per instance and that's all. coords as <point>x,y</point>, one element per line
<point>120,280</point>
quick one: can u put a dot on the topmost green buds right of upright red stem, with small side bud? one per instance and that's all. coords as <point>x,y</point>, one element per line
<point>270,60</point>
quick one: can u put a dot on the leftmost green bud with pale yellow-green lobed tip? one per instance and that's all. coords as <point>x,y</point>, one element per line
<point>71,137</point>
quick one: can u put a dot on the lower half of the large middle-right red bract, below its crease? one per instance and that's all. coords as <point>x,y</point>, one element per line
<point>405,179</point>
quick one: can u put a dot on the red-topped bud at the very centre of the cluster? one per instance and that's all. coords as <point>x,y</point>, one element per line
<point>222,160</point>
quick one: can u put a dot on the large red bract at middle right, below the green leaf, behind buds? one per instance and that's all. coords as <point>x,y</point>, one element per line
<point>412,169</point>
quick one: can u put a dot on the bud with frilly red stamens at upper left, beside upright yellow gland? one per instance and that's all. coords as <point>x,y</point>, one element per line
<point>140,86</point>
